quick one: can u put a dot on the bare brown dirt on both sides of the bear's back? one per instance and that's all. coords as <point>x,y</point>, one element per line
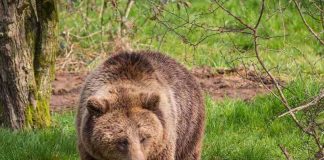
<point>219,83</point>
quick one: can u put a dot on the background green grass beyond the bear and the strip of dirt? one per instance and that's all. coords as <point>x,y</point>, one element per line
<point>291,51</point>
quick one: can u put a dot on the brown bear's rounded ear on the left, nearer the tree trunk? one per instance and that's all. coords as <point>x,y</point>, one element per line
<point>97,106</point>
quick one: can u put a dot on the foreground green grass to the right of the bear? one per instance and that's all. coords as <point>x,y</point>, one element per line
<point>251,130</point>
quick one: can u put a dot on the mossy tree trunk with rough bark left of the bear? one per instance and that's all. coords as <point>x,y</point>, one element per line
<point>28,45</point>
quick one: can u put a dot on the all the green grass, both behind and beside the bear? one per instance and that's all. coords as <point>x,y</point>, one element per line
<point>235,129</point>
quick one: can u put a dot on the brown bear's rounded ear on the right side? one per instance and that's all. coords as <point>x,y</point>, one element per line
<point>150,101</point>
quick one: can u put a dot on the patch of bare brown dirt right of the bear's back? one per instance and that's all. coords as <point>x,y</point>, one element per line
<point>231,83</point>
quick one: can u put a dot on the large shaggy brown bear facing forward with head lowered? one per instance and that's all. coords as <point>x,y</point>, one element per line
<point>140,106</point>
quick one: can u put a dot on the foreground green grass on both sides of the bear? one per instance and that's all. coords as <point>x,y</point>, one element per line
<point>234,130</point>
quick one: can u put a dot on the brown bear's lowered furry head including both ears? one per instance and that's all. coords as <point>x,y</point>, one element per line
<point>123,125</point>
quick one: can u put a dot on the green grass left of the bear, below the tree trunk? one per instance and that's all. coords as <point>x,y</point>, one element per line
<point>55,143</point>
